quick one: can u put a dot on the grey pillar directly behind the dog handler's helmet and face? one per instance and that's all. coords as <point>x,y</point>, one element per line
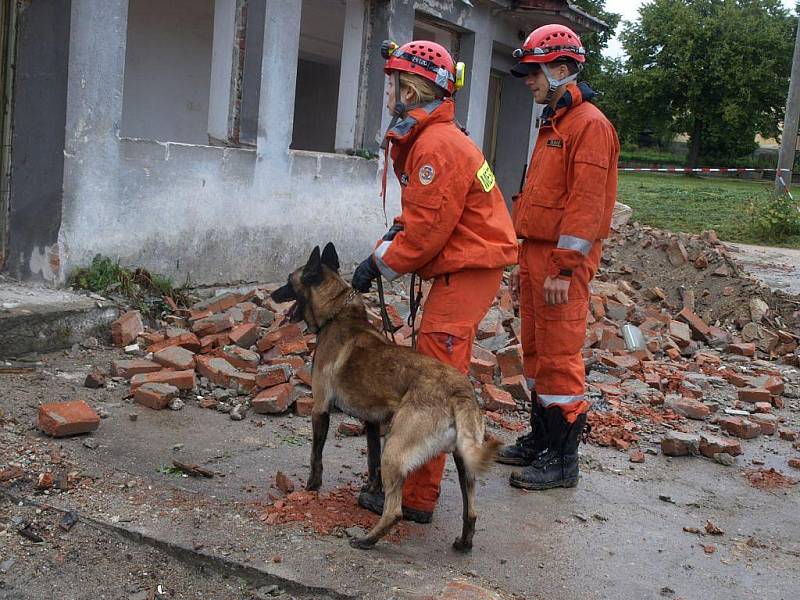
<point>390,19</point>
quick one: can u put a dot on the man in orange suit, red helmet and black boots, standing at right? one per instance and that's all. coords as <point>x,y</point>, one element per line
<point>562,215</point>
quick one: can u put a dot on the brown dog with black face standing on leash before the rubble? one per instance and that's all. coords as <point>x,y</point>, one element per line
<point>430,405</point>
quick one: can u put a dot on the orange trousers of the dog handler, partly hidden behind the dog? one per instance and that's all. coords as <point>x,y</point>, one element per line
<point>442,318</point>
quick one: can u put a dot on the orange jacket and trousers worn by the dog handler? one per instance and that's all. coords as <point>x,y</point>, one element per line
<point>456,231</point>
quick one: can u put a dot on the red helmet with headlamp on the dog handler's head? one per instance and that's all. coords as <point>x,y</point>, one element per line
<point>427,59</point>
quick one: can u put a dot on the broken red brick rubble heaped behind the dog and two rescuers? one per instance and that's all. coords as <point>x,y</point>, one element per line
<point>685,354</point>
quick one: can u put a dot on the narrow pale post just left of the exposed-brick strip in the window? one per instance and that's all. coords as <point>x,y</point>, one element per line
<point>219,99</point>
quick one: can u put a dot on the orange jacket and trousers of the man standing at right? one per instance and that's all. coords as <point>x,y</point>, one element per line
<point>563,214</point>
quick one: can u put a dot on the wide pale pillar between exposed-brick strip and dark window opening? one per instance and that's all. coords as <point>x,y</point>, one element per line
<point>276,99</point>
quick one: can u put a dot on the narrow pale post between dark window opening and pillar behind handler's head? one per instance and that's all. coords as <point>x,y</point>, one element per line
<point>350,75</point>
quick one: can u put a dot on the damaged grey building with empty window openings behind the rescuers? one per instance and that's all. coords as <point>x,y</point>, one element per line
<point>219,140</point>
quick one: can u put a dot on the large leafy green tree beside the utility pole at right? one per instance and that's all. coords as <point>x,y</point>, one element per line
<point>715,69</point>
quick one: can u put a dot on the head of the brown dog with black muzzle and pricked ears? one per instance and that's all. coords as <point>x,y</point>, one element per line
<point>312,287</point>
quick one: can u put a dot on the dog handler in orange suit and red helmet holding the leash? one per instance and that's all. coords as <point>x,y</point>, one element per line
<point>454,229</point>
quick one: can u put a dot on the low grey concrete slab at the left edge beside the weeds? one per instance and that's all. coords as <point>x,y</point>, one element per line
<point>34,318</point>
